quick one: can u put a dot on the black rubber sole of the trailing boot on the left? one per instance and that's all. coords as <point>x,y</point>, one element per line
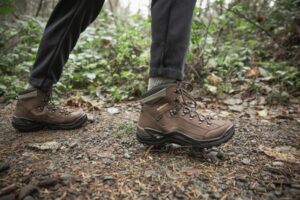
<point>27,125</point>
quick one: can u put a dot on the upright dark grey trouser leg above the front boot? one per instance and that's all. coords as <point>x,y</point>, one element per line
<point>171,28</point>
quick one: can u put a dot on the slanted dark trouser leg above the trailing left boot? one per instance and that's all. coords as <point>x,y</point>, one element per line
<point>67,21</point>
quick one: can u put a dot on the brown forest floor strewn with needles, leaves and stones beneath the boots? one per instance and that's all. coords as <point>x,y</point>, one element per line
<point>103,160</point>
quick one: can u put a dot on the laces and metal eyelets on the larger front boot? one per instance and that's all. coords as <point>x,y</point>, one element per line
<point>186,102</point>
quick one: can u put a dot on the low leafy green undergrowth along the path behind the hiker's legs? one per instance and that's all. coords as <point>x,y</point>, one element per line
<point>111,59</point>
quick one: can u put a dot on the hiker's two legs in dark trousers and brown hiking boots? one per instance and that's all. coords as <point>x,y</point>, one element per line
<point>166,114</point>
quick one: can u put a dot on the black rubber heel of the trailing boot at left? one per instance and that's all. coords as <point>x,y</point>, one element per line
<point>26,125</point>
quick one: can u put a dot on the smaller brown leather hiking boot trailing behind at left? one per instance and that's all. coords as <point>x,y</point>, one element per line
<point>33,112</point>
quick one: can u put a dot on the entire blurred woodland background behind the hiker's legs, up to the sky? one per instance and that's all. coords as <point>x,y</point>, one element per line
<point>239,48</point>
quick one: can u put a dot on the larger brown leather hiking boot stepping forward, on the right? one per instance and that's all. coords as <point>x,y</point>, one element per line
<point>169,116</point>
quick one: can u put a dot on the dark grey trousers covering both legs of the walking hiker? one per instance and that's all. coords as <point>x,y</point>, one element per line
<point>171,27</point>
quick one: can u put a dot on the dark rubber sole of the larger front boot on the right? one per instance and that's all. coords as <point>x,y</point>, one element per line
<point>153,137</point>
